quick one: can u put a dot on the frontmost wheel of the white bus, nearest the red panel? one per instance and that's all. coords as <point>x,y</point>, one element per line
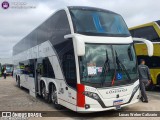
<point>54,98</point>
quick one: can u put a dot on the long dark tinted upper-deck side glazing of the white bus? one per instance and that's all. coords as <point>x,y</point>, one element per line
<point>52,29</point>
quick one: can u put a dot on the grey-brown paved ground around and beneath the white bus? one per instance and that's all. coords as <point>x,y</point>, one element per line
<point>13,98</point>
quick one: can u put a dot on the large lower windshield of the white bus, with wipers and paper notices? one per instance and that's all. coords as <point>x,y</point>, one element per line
<point>108,65</point>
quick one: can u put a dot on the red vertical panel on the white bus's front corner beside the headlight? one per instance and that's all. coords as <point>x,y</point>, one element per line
<point>80,95</point>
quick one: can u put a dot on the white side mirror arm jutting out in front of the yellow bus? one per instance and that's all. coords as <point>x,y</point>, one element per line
<point>148,43</point>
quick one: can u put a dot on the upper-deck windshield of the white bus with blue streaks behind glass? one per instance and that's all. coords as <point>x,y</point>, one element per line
<point>98,22</point>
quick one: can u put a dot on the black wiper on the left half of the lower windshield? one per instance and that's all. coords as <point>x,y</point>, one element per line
<point>104,71</point>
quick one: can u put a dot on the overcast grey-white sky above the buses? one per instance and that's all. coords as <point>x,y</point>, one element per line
<point>17,23</point>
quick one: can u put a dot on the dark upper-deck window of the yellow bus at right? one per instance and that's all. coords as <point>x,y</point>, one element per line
<point>146,32</point>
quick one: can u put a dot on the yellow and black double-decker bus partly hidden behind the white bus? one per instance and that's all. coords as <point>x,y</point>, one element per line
<point>150,31</point>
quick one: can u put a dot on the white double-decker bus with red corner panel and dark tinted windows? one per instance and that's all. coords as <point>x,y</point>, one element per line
<point>82,58</point>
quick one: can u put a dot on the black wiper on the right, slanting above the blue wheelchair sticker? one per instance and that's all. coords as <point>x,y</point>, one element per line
<point>120,65</point>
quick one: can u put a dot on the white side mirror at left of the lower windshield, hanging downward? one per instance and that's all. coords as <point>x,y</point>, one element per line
<point>79,44</point>
